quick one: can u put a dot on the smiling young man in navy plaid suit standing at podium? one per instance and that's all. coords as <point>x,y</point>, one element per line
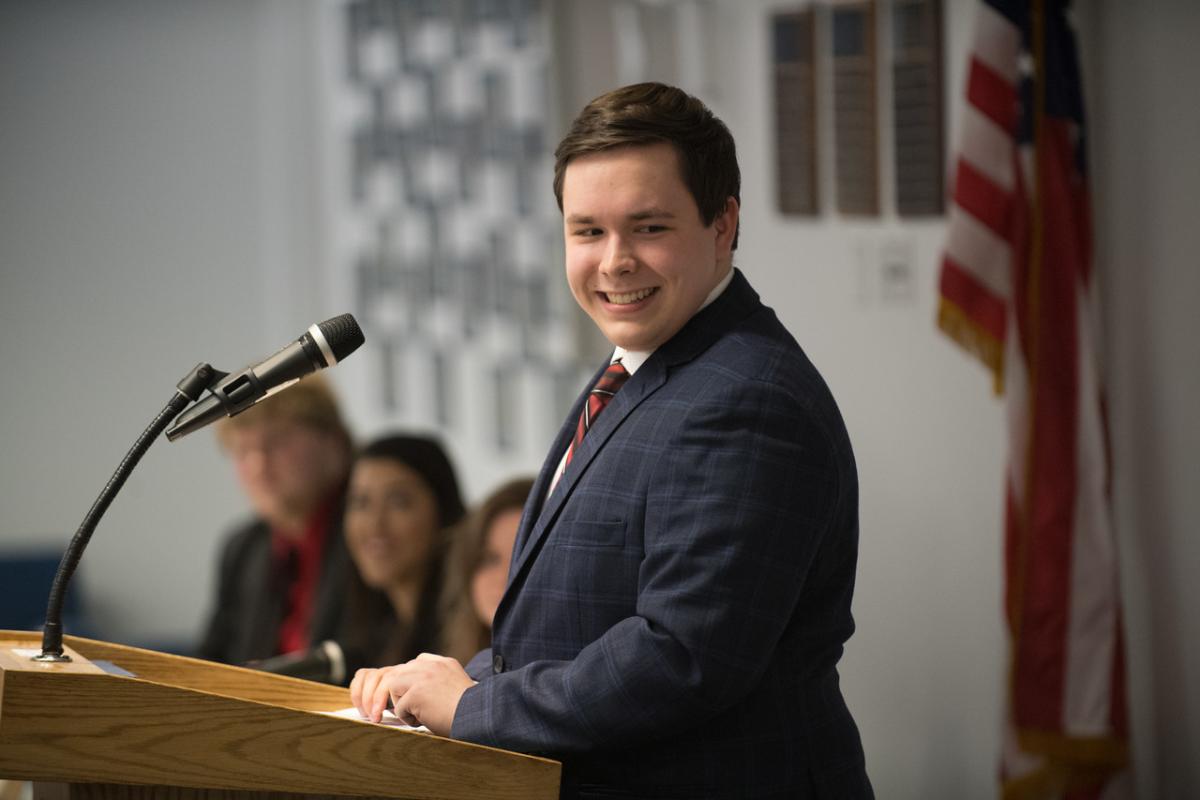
<point>682,579</point>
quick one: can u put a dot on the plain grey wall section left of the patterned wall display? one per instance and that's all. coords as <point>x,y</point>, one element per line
<point>148,218</point>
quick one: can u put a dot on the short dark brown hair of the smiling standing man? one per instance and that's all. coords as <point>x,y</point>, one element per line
<point>650,113</point>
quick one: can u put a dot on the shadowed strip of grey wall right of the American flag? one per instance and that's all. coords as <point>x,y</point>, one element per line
<point>1145,115</point>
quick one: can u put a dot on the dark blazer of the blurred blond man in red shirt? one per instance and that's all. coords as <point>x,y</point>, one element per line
<point>251,596</point>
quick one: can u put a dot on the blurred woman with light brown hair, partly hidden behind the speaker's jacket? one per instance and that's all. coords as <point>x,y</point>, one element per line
<point>478,570</point>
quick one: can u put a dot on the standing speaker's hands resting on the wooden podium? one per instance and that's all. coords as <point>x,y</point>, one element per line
<point>423,691</point>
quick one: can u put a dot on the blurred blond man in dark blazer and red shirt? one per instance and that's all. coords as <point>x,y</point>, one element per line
<point>283,575</point>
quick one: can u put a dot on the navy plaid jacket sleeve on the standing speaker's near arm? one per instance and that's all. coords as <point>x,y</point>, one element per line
<point>747,485</point>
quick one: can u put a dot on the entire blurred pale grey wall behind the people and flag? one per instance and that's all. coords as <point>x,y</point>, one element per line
<point>169,189</point>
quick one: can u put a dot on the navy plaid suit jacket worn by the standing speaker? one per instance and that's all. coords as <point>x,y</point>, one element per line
<point>679,605</point>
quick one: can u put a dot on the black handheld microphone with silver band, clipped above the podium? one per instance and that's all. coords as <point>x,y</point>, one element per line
<point>322,346</point>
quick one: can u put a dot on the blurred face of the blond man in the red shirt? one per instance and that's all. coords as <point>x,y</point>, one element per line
<point>285,468</point>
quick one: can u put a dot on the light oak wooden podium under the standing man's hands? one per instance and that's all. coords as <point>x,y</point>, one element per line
<point>123,723</point>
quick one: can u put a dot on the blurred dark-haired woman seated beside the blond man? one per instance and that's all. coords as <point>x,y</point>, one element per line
<point>403,498</point>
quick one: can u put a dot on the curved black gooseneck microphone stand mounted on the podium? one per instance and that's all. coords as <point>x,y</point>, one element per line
<point>202,378</point>
